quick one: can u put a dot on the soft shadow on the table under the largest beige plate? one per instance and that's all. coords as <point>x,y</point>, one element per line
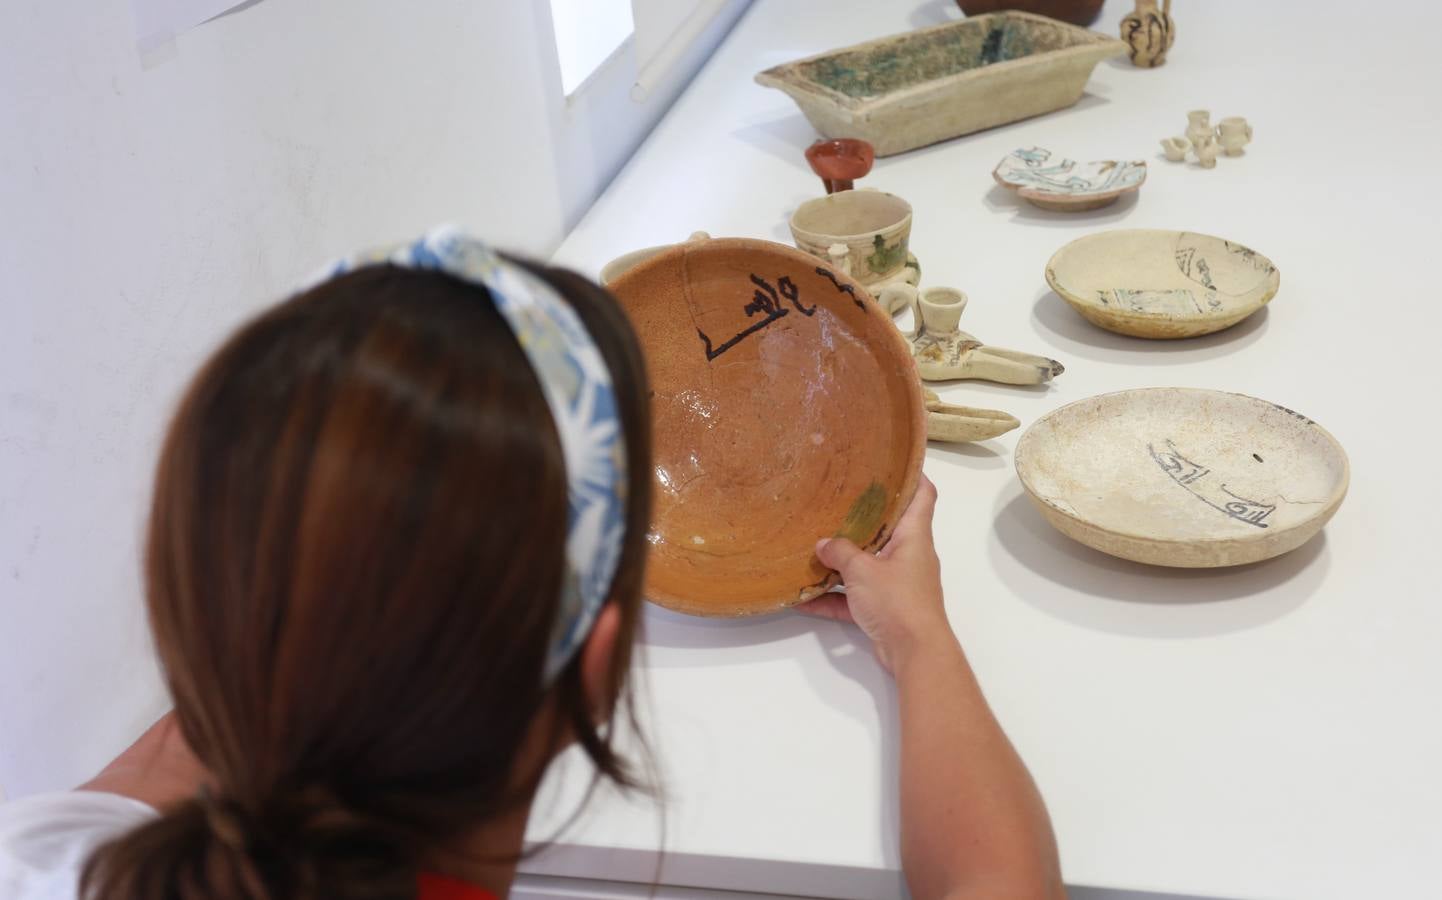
<point>1123,598</point>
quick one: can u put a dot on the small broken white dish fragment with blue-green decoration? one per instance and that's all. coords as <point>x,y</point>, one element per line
<point>1053,182</point>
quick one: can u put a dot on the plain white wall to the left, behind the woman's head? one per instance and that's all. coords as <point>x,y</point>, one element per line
<point>146,207</point>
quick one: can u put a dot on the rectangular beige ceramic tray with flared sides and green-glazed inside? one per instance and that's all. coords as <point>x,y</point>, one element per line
<point>938,83</point>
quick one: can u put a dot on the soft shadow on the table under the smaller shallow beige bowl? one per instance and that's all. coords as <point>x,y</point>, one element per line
<point>1071,334</point>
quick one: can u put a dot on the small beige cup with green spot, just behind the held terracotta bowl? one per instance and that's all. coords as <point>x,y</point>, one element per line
<point>862,233</point>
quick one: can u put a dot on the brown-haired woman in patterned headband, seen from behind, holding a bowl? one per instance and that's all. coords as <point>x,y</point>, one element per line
<point>394,568</point>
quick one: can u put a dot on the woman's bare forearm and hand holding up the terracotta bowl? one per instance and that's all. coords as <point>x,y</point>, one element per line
<point>973,821</point>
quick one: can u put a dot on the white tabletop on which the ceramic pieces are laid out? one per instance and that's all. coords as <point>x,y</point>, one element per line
<point>1268,732</point>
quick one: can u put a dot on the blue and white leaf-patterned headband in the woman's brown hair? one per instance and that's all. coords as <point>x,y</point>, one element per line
<point>579,392</point>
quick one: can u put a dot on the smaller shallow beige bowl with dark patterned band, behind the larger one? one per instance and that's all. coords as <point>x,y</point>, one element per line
<point>1162,283</point>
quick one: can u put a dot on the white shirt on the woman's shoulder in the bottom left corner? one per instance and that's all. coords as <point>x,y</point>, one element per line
<point>45,840</point>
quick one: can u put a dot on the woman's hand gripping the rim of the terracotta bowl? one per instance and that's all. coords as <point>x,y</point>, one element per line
<point>893,596</point>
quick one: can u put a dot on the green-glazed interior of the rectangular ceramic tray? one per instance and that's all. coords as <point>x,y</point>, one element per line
<point>939,54</point>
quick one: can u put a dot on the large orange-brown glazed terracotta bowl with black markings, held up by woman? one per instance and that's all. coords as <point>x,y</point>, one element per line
<point>787,410</point>
